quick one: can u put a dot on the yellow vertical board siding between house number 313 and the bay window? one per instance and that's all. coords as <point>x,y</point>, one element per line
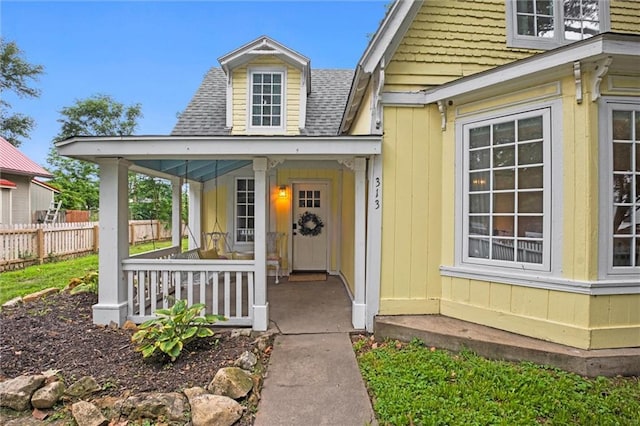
<point>411,212</point>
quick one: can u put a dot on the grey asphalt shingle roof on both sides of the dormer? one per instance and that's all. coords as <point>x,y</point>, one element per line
<point>206,113</point>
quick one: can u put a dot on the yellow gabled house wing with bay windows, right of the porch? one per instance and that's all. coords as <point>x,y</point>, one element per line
<point>509,157</point>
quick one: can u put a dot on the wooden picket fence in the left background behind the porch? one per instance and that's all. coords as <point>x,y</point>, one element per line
<point>28,244</point>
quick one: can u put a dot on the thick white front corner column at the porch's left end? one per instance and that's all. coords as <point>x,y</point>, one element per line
<point>114,242</point>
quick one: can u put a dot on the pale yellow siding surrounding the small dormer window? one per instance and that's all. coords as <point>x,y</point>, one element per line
<point>241,92</point>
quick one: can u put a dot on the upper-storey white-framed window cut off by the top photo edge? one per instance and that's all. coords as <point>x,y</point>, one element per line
<point>545,24</point>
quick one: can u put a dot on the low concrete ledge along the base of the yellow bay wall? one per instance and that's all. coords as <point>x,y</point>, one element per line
<point>453,334</point>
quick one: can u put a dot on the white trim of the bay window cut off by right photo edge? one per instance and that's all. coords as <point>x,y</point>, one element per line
<point>605,242</point>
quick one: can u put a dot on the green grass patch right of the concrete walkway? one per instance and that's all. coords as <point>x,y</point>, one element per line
<point>412,384</point>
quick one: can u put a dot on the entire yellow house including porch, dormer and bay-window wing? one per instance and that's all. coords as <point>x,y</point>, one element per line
<point>482,165</point>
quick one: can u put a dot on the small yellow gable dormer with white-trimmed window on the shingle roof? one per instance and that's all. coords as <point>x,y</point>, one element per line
<point>267,88</point>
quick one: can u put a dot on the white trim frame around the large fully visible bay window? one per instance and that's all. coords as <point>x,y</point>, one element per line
<point>552,246</point>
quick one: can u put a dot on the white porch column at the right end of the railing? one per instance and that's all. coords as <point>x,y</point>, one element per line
<point>260,304</point>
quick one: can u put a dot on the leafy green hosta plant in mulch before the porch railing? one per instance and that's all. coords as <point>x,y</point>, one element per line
<point>173,328</point>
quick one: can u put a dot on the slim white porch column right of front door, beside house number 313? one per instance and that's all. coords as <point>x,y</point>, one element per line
<point>358,311</point>
